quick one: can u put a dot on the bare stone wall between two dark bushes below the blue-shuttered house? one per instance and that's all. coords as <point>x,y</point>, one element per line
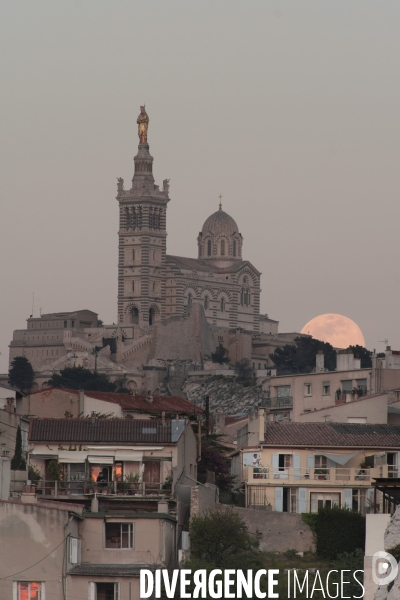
<point>276,531</point>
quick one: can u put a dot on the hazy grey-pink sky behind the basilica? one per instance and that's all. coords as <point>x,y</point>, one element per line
<point>288,108</point>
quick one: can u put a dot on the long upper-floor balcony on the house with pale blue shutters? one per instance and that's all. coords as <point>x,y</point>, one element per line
<point>328,477</point>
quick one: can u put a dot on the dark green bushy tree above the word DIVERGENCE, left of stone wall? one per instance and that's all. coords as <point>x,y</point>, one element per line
<point>220,540</point>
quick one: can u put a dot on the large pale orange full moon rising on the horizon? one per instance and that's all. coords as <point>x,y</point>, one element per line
<point>337,330</point>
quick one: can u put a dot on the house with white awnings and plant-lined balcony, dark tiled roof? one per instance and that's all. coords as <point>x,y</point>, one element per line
<point>77,458</point>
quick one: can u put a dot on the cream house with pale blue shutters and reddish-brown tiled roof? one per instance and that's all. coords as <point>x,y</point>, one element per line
<point>300,467</point>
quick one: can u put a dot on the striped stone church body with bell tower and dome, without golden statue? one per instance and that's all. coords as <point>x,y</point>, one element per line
<point>154,286</point>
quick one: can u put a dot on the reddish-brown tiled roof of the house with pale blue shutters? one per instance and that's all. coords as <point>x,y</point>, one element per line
<point>344,435</point>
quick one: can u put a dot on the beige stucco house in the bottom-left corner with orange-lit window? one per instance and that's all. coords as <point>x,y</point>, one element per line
<point>96,553</point>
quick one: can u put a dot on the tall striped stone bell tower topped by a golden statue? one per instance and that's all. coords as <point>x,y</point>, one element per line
<point>142,241</point>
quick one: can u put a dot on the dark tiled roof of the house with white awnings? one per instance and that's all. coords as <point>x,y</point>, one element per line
<point>116,431</point>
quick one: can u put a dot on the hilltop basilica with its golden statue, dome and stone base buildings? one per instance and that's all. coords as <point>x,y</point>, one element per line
<point>170,308</point>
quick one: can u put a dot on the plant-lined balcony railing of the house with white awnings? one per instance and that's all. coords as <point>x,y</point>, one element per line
<point>112,488</point>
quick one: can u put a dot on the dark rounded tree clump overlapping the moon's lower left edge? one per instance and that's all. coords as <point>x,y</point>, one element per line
<point>300,356</point>
